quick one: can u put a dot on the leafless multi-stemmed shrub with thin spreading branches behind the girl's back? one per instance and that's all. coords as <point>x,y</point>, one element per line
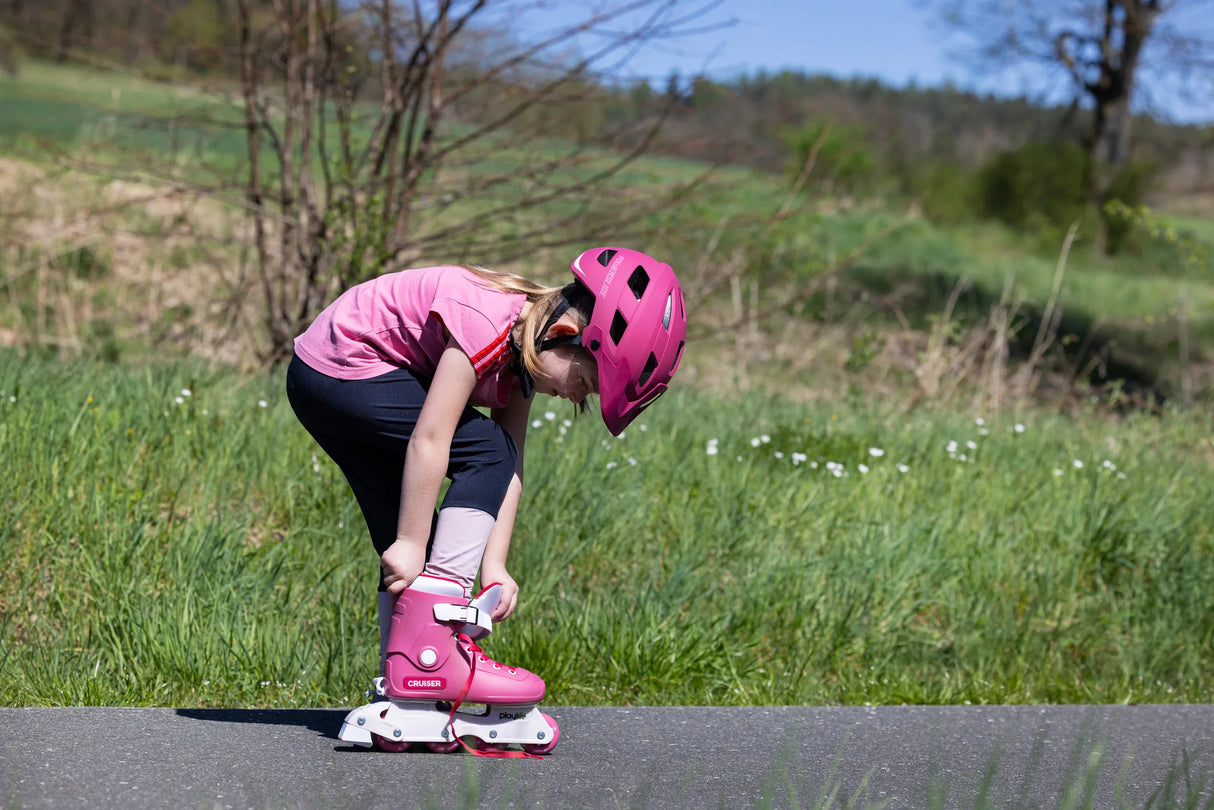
<point>385,133</point>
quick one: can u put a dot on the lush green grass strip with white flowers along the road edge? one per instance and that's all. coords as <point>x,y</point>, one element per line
<point>194,554</point>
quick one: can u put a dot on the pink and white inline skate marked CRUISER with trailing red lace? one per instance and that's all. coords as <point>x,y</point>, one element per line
<point>435,671</point>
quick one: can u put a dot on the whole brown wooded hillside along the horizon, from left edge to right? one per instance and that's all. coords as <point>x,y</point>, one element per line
<point>751,121</point>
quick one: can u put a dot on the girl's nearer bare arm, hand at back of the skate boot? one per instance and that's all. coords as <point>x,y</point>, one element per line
<point>426,467</point>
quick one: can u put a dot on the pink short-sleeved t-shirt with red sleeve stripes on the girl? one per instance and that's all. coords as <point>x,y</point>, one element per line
<point>398,321</point>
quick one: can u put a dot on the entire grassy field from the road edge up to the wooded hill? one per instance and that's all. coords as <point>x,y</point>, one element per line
<point>804,522</point>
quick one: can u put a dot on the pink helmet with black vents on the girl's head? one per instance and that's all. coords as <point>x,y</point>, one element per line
<point>637,330</point>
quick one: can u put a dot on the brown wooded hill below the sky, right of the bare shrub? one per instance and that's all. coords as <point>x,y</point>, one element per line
<point>747,121</point>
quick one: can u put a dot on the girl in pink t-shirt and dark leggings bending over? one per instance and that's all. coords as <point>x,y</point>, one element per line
<point>388,381</point>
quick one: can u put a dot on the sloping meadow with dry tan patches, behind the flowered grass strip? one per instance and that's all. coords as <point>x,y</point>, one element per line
<point>1148,316</point>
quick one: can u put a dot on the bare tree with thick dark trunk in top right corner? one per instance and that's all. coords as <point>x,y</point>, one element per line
<point>1102,47</point>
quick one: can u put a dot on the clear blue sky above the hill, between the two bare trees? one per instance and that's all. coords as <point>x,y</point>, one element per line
<point>898,42</point>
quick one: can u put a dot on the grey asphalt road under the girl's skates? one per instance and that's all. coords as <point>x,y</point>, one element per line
<point>782,757</point>
